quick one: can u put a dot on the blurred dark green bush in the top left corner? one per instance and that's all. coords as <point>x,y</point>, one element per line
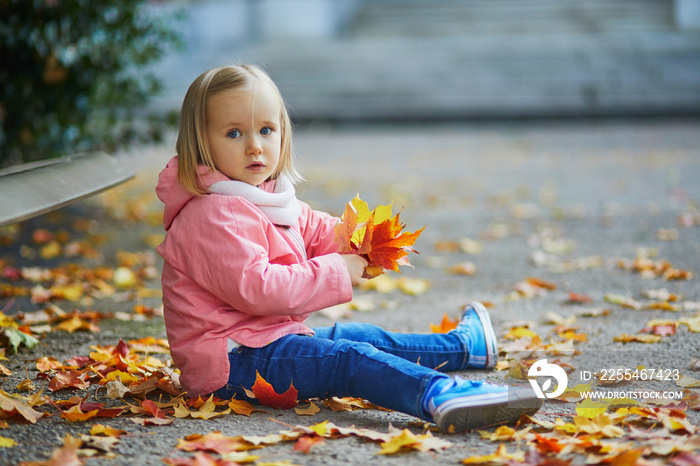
<point>73,76</point>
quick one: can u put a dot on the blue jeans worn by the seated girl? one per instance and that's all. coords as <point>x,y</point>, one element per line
<point>392,370</point>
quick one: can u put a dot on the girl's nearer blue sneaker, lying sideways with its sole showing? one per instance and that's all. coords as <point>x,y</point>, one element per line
<point>471,404</point>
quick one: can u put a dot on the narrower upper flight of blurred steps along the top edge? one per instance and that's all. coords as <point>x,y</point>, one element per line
<point>381,18</point>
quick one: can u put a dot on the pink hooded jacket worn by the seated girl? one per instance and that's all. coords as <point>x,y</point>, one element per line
<point>230,273</point>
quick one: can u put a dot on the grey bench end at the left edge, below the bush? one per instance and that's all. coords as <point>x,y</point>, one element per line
<point>37,188</point>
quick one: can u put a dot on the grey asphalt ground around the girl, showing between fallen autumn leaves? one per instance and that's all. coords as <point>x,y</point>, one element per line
<point>567,203</point>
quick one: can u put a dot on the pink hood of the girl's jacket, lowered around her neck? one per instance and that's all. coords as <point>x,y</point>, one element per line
<point>175,197</point>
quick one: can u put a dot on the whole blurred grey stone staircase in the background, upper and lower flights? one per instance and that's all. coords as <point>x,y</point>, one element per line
<point>457,59</point>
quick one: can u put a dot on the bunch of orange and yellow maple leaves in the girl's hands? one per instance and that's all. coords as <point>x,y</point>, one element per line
<point>376,236</point>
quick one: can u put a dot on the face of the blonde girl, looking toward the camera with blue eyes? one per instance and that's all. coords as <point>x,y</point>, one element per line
<point>244,133</point>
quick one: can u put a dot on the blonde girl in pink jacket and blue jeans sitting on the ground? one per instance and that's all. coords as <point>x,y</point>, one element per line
<point>246,263</point>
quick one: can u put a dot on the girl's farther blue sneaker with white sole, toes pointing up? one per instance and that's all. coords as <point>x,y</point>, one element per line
<point>481,339</point>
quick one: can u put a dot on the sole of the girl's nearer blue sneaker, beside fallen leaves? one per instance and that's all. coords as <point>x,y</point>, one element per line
<point>458,417</point>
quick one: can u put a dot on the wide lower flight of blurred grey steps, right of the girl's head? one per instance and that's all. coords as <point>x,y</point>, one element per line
<point>489,76</point>
